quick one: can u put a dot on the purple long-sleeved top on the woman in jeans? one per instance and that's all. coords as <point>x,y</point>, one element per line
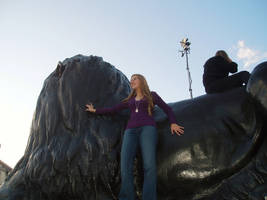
<point>140,118</point>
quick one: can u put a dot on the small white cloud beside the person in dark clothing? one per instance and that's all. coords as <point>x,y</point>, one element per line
<point>248,55</point>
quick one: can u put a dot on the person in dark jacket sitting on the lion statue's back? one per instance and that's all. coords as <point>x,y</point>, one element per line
<point>216,74</point>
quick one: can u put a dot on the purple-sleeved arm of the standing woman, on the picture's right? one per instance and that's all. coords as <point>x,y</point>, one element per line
<point>167,109</point>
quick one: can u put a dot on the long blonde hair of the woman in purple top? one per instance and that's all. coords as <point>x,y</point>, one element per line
<point>146,92</point>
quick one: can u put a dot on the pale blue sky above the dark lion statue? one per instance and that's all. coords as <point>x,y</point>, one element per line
<point>134,36</point>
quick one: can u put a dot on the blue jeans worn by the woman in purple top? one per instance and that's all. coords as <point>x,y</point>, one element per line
<point>146,138</point>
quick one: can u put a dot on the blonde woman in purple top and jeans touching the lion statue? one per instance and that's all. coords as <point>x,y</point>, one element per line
<point>140,132</point>
